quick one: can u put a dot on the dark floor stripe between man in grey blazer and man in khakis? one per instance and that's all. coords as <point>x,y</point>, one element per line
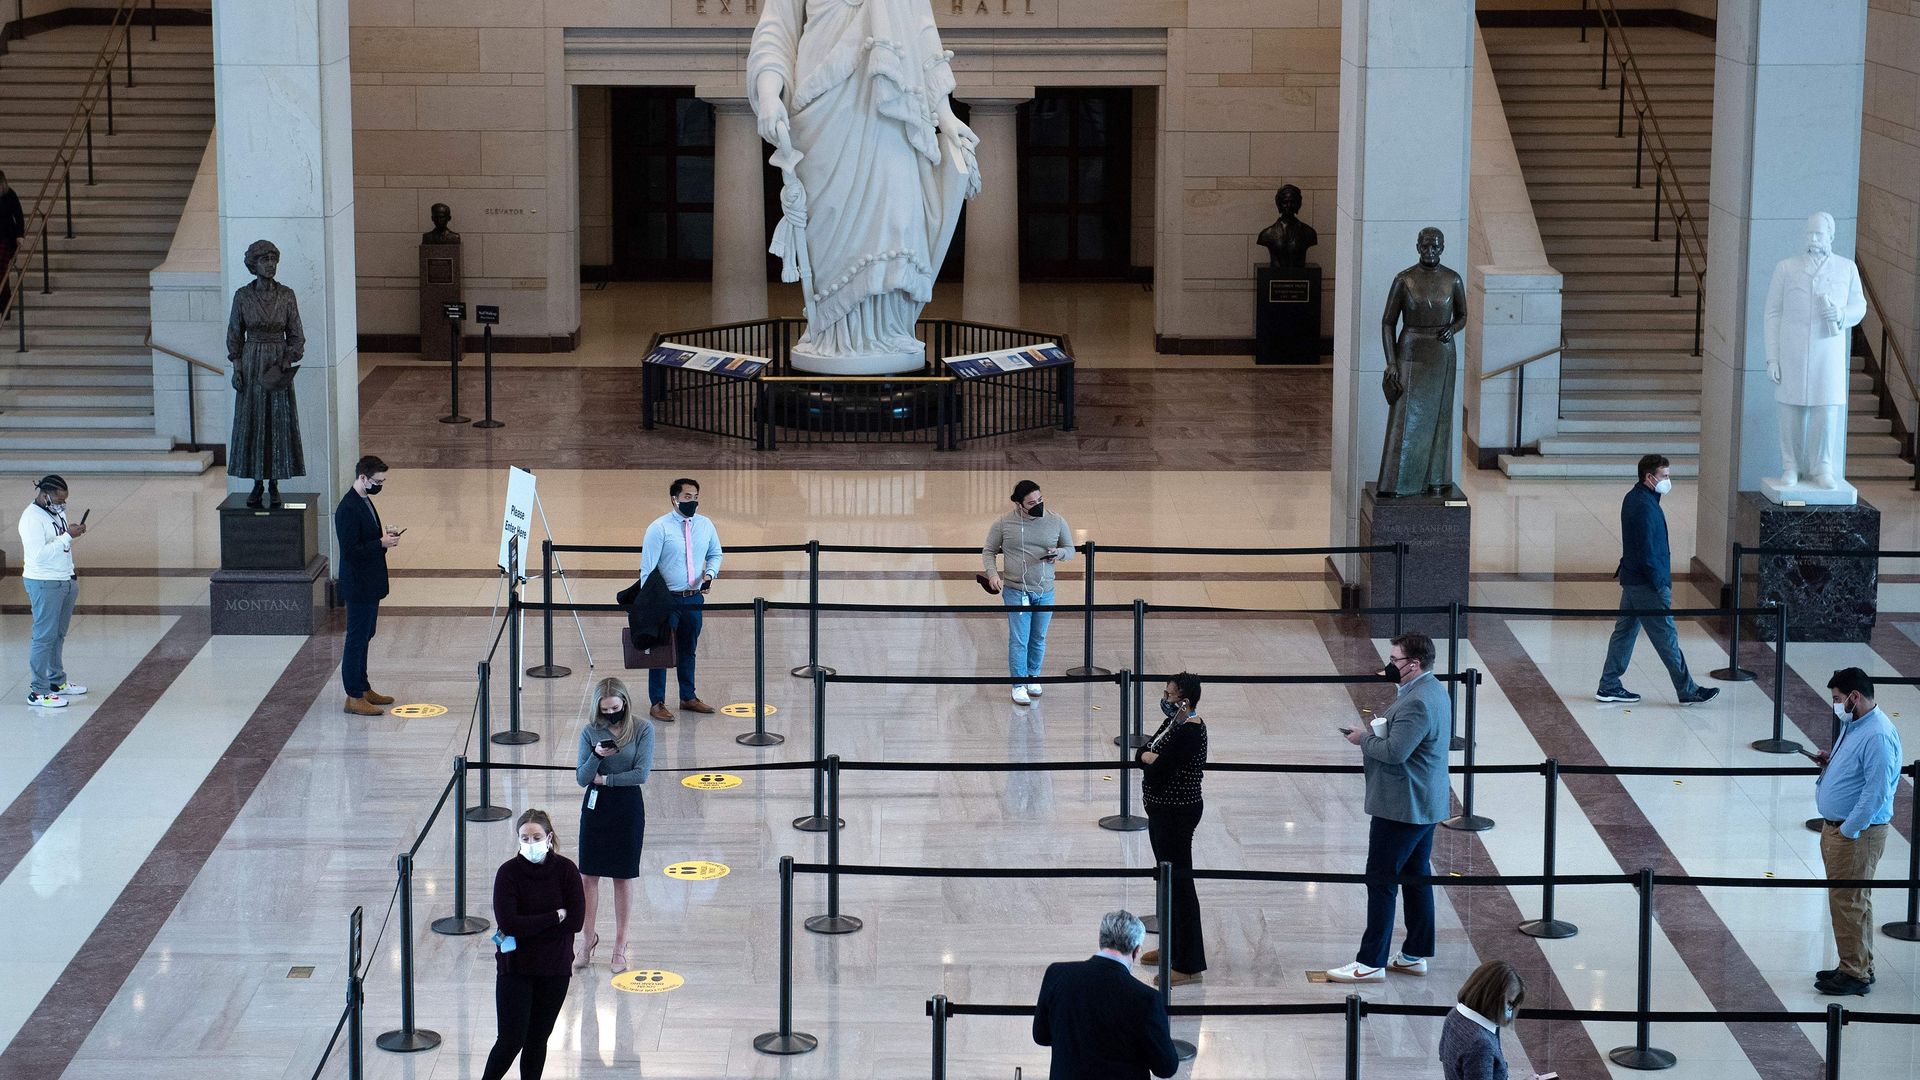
<point>1696,931</point>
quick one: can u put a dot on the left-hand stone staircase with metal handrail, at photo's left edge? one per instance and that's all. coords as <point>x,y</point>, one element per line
<point>82,397</point>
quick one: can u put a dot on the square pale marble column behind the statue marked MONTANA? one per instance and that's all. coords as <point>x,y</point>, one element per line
<point>285,141</point>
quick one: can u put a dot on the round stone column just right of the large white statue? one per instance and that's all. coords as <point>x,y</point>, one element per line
<point>992,287</point>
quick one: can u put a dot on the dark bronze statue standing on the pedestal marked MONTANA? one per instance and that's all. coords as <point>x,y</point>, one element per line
<point>266,345</point>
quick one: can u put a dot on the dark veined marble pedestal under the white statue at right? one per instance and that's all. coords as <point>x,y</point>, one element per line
<point>1829,601</point>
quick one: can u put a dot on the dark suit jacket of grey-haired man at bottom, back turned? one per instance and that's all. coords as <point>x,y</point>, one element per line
<point>1103,1023</point>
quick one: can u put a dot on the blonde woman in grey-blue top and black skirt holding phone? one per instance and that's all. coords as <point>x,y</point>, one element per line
<point>615,758</point>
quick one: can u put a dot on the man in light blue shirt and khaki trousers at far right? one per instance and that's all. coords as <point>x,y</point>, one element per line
<point>1856,797</point>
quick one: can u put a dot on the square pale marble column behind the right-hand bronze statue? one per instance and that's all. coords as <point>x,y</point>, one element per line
<point>1406,118</point>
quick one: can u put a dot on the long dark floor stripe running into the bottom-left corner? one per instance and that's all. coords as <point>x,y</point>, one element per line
<point>49,1041</point>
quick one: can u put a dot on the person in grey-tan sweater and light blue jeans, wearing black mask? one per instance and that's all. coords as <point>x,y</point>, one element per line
<point>1028,541</point>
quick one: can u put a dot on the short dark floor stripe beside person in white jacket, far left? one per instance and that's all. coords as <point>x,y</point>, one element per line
<point>97,739</point>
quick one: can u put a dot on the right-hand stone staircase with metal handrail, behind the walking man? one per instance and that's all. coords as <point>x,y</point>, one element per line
<point>1629,378</point>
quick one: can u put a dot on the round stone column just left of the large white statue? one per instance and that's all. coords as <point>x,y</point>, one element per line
<point>740,207</point>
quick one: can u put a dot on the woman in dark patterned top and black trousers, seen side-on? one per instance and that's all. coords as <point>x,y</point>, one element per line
<point>1170,787</point>
